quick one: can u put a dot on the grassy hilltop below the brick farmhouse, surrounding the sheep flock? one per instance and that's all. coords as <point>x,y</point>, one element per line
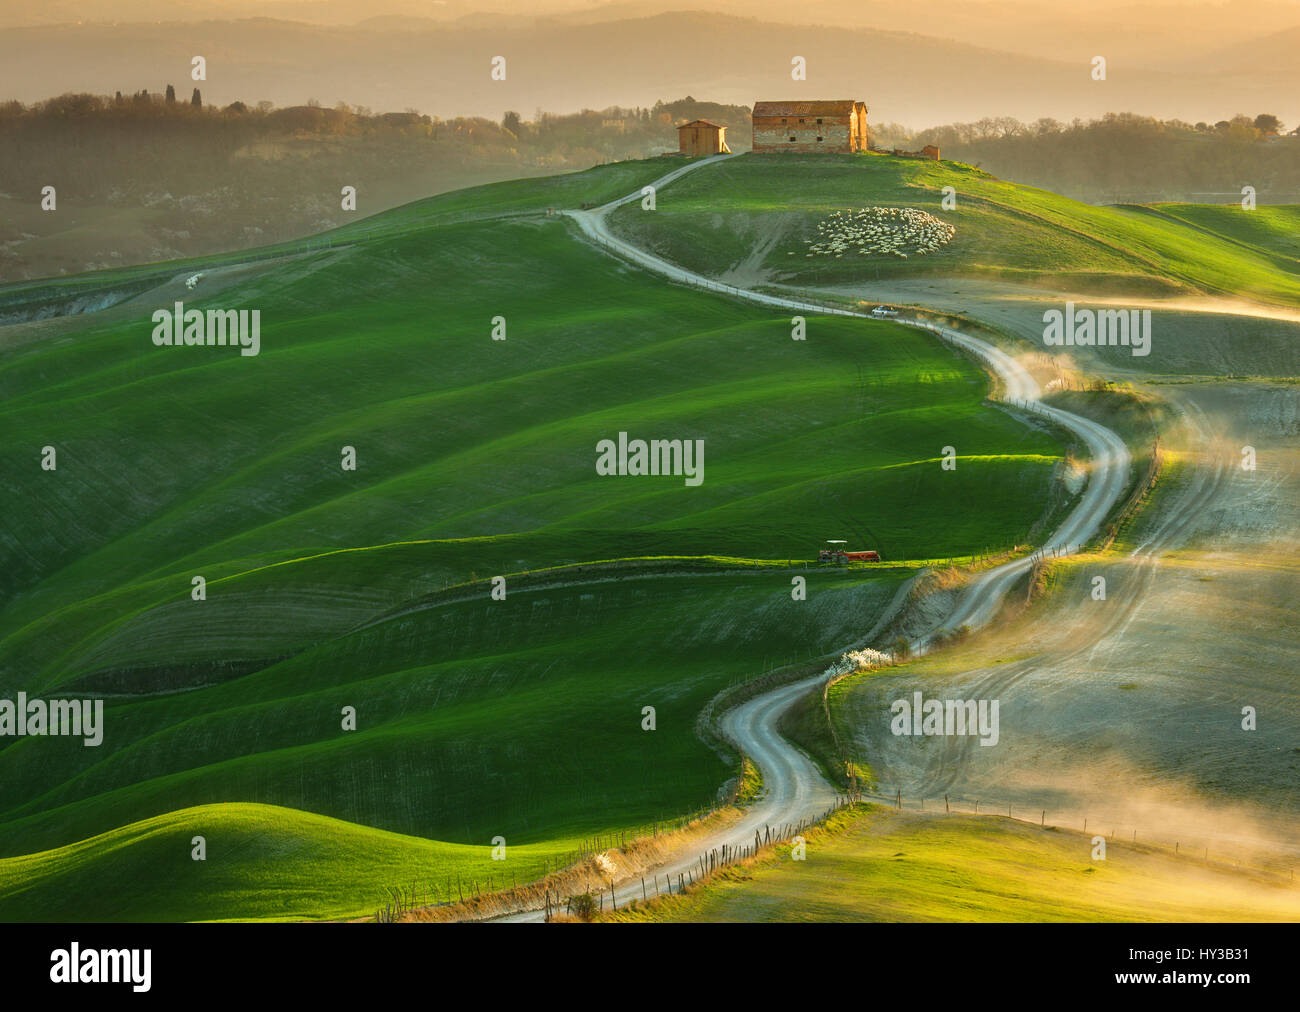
<point>713,222</point>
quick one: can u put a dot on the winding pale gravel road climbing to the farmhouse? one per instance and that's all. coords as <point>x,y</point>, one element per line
<point>794,788</point>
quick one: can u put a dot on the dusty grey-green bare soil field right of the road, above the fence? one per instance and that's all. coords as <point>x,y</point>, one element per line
<point>1129,712</point>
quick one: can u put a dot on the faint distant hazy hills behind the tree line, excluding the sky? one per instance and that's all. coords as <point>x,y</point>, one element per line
<point>444,70</point>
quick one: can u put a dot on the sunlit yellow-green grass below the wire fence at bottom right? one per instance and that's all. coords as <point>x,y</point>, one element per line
<point>874,864</point>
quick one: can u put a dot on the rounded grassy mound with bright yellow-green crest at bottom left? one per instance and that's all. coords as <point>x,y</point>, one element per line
<point>265,862</point>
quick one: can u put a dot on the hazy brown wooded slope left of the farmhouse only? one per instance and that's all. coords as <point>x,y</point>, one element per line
<point>153,178</point>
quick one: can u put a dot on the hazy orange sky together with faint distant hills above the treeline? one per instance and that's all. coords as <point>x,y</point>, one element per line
<point>915,62</point>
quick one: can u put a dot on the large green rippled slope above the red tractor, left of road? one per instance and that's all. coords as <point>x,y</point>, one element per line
<point>181,462</point>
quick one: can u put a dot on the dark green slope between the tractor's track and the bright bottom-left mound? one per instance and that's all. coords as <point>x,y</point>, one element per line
<point>474,717</point>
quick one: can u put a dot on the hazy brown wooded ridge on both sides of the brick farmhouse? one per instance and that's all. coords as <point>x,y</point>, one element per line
<point>168,178</point>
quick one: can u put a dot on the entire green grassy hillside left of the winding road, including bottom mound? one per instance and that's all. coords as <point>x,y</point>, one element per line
<point>369,589</point>
